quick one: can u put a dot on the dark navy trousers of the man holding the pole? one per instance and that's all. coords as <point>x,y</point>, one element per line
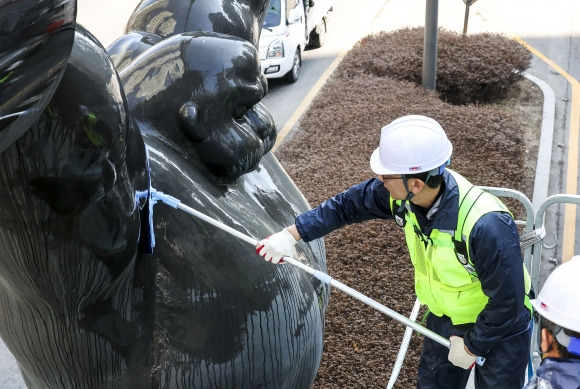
<point>504,367</point>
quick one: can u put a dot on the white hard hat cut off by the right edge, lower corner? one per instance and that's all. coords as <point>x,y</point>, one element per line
<point>559,300</point>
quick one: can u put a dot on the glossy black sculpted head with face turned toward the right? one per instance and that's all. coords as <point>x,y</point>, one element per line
<point>205,109</point>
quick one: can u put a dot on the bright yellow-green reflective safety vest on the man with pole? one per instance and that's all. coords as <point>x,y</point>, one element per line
<point>445,279</point>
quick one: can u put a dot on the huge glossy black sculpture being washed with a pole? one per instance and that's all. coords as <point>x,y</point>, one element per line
<point>83,302</point>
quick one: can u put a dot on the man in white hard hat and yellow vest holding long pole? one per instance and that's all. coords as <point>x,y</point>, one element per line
<point>464,246</point>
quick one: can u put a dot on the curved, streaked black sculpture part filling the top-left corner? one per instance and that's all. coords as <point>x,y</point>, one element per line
<point>31,67</point>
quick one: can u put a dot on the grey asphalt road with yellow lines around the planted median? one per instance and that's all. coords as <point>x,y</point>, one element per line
<point>551,29</point>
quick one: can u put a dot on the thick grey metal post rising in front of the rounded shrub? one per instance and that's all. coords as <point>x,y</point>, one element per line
<point>430,45</point>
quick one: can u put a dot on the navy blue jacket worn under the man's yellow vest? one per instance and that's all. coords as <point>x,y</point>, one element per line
<point>494,251</point>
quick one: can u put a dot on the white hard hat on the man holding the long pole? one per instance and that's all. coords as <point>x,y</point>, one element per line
<point>411,144</point>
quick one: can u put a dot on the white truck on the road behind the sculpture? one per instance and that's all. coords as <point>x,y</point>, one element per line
<point>289,26</point>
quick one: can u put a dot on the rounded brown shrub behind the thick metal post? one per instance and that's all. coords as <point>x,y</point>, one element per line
<point>476,68</point>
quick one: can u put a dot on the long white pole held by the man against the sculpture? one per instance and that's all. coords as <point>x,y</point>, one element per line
<point>175,203</point>
